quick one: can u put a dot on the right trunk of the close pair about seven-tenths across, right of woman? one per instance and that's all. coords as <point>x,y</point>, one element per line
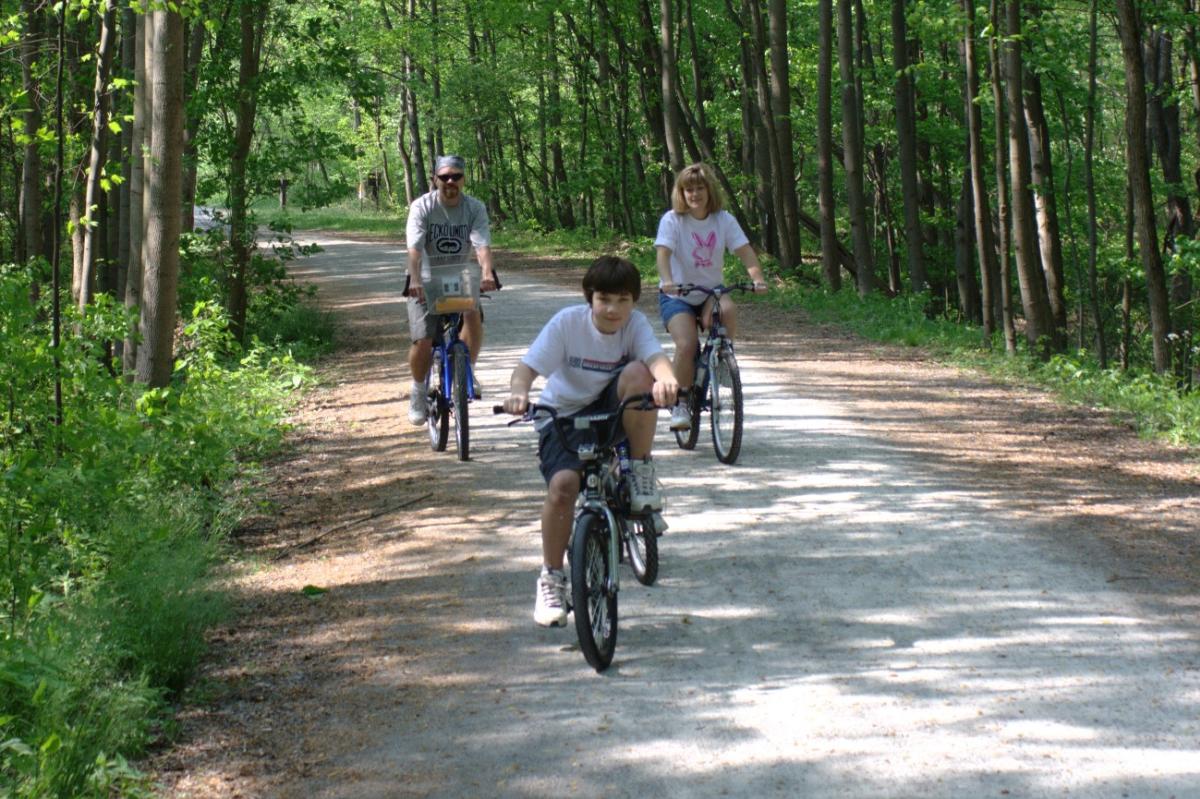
<point>853,155</point>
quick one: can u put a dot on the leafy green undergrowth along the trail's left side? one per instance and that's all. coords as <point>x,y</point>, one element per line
<point>115,521</point>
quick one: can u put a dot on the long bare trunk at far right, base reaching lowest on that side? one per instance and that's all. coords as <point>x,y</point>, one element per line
<point>1131,33</point>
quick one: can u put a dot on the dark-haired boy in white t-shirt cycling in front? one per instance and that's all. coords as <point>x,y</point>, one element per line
<point>593,357</point>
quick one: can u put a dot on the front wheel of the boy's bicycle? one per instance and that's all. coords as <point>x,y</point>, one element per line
<point>596,606</point>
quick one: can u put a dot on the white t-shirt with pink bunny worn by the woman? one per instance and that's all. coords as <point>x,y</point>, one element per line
<point>698,248</point>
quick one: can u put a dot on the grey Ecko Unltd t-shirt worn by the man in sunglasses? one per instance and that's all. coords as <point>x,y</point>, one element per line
<point>446,235</point>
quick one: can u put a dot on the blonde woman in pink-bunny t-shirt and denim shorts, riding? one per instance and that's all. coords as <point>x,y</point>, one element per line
<point>692,243</point>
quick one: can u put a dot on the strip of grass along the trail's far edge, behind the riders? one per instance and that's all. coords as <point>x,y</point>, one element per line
<point>1150,402</point>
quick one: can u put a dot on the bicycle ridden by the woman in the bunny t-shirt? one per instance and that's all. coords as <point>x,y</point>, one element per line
<point>717,386</point>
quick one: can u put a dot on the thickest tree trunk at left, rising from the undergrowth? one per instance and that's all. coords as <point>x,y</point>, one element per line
<point>165,188</point>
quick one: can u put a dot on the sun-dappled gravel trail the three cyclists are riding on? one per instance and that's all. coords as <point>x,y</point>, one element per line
<point>915,584</point>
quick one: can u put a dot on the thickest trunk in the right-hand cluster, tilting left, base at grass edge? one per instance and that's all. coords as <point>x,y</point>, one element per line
<point>1039,322</point>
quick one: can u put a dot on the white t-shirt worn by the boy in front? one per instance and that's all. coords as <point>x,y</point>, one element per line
<point>579,361</point>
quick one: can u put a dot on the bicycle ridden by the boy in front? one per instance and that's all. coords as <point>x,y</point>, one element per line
<point>605,531</point>
